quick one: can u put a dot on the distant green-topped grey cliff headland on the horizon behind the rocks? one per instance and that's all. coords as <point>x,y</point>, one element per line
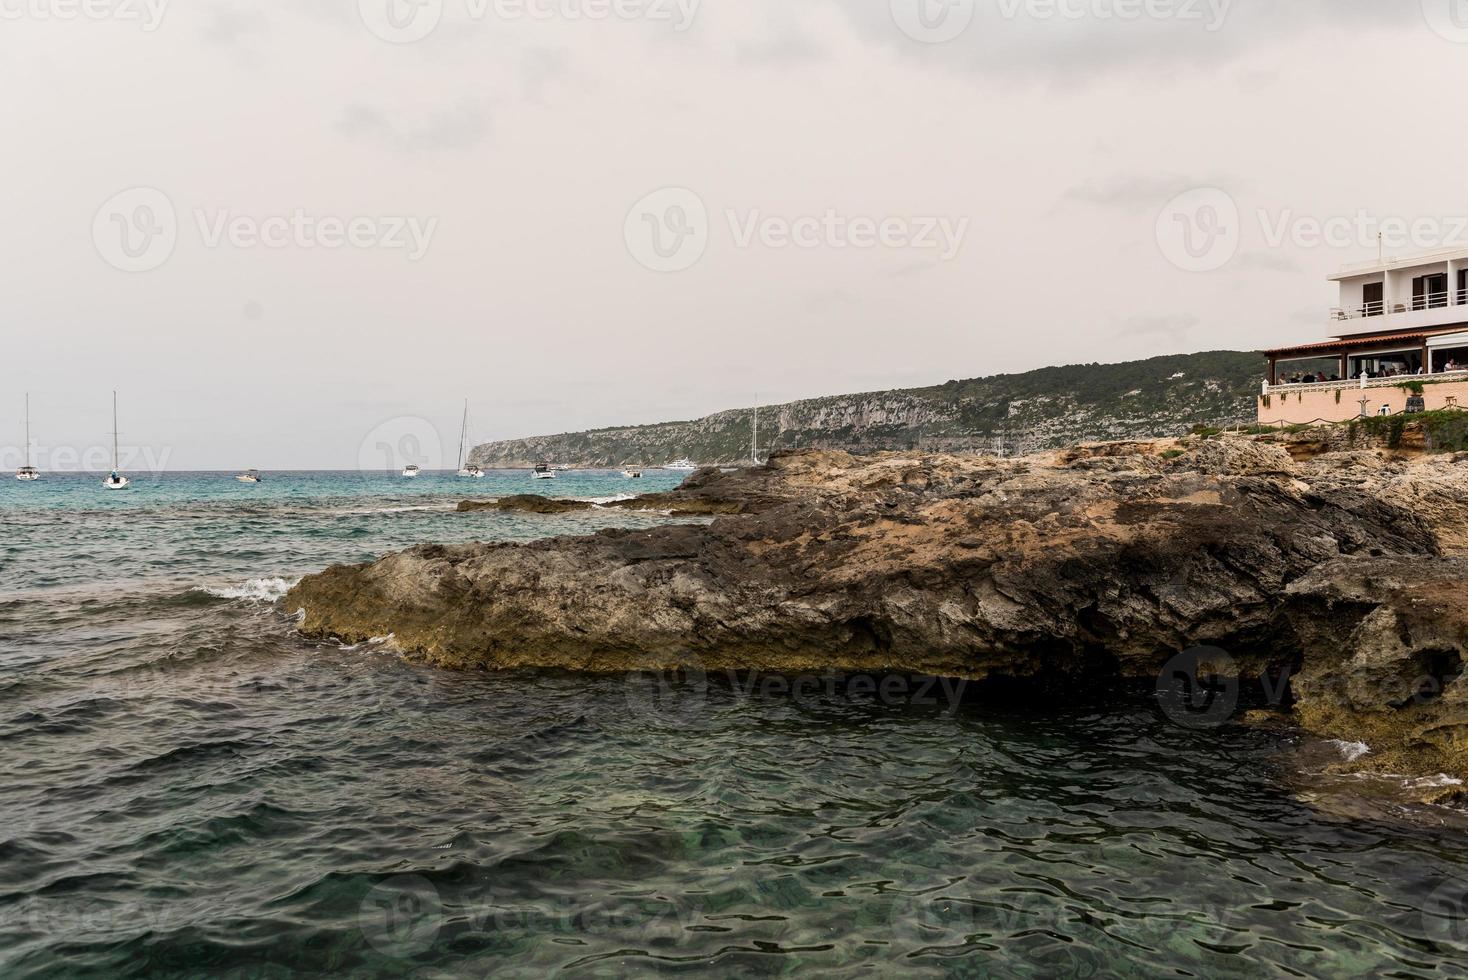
<point>1012,413</point>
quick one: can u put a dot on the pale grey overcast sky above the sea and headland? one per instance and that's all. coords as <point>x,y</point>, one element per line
<point>283,230</point>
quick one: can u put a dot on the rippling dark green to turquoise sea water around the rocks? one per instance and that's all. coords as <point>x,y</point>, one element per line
<point>192,789</point>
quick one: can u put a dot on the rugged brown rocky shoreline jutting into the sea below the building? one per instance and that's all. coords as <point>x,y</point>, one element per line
<point>1326,568</point>
